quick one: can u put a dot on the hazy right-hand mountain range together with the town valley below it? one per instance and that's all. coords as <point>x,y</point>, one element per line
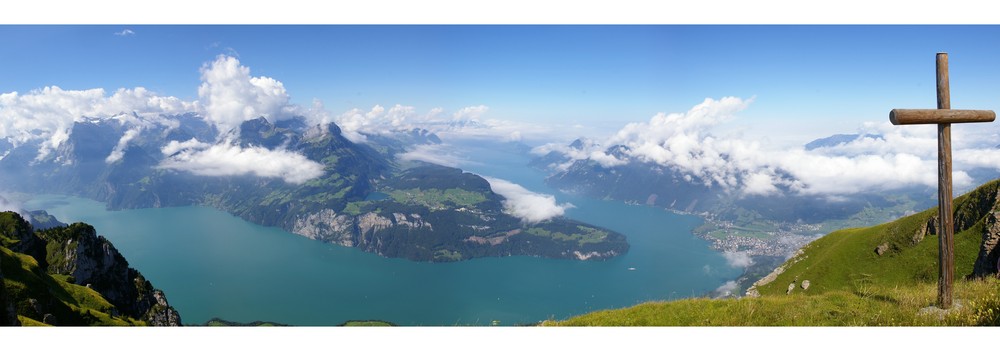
<point>768,227</point>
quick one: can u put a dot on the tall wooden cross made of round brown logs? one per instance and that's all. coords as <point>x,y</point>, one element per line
<point>943,116</point>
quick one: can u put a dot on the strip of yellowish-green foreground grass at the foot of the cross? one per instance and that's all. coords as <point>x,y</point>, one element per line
<point>870,305</point>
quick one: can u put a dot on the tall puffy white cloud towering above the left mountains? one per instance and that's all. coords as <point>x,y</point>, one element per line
<point>230,95</point>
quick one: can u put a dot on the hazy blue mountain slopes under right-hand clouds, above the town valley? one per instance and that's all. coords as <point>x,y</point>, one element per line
<point>654,184</point>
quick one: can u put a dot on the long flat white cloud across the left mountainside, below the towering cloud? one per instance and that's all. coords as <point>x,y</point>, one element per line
<point>227,159</point>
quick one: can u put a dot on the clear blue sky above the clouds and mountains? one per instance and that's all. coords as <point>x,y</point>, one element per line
<point>814,80</point>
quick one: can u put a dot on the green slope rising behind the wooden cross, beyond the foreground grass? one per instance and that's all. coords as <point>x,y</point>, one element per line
<point>846,260</point>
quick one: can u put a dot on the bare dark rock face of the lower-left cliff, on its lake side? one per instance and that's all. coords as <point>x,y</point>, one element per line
<point>78,251</point>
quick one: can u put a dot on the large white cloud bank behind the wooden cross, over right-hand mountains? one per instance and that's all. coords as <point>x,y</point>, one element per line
<point>901,157</point>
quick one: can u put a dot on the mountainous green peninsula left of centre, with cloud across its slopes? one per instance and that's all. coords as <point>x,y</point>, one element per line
<point>308,180</point>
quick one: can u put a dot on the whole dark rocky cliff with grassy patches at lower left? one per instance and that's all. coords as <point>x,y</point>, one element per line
<point>77,261</point>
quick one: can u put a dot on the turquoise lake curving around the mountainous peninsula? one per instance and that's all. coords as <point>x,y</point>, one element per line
<point>212,264</point>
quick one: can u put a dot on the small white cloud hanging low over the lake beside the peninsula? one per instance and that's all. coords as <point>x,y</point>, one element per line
<point>529,206</point>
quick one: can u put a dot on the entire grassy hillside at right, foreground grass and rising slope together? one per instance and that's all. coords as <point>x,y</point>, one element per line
<point>850,283</point>
